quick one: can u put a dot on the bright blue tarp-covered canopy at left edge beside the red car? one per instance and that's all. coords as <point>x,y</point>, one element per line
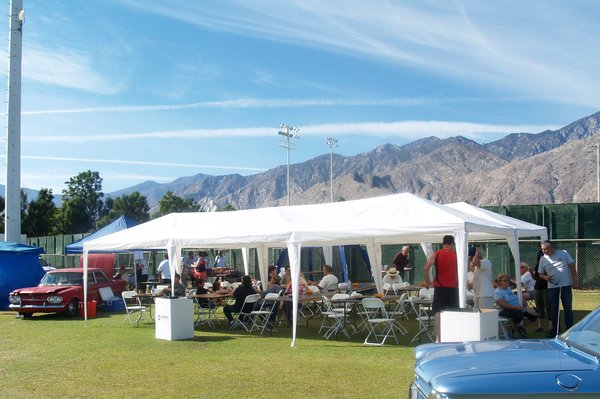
<point>19,268</point>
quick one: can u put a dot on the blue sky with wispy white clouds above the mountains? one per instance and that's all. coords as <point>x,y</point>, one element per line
<point>154,90</point>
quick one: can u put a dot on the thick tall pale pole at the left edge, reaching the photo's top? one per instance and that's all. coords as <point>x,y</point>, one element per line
<point>12,225</point>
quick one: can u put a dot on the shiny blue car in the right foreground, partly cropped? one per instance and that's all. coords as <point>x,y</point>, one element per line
<point>565,367</point>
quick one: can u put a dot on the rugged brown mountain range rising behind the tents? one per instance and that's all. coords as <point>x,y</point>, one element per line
<point>553,166</point>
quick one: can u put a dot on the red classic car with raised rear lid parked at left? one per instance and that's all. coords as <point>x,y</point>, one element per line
<point>61,290</point>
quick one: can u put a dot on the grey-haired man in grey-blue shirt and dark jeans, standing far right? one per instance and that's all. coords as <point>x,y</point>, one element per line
<point>558,269</point>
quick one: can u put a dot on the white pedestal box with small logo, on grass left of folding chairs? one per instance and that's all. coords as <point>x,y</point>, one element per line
<point>174,318</point>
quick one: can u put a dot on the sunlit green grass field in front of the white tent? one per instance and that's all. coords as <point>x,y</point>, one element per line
<point>55,357</point>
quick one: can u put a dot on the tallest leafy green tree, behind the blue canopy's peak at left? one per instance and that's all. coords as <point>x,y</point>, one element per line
<point>82,203</point>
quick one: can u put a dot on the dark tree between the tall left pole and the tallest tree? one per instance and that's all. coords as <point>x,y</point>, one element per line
<point>39,218</point>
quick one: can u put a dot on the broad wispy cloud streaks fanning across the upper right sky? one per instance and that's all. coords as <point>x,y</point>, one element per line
<point>508,45</point>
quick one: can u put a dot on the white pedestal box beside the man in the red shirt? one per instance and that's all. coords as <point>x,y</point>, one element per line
<point>468,325</point>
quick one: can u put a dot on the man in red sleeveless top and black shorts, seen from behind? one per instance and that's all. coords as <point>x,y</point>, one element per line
<point>445,284</point>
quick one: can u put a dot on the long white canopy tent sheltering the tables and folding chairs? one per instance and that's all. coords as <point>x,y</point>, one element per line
<point>400,218</point>
